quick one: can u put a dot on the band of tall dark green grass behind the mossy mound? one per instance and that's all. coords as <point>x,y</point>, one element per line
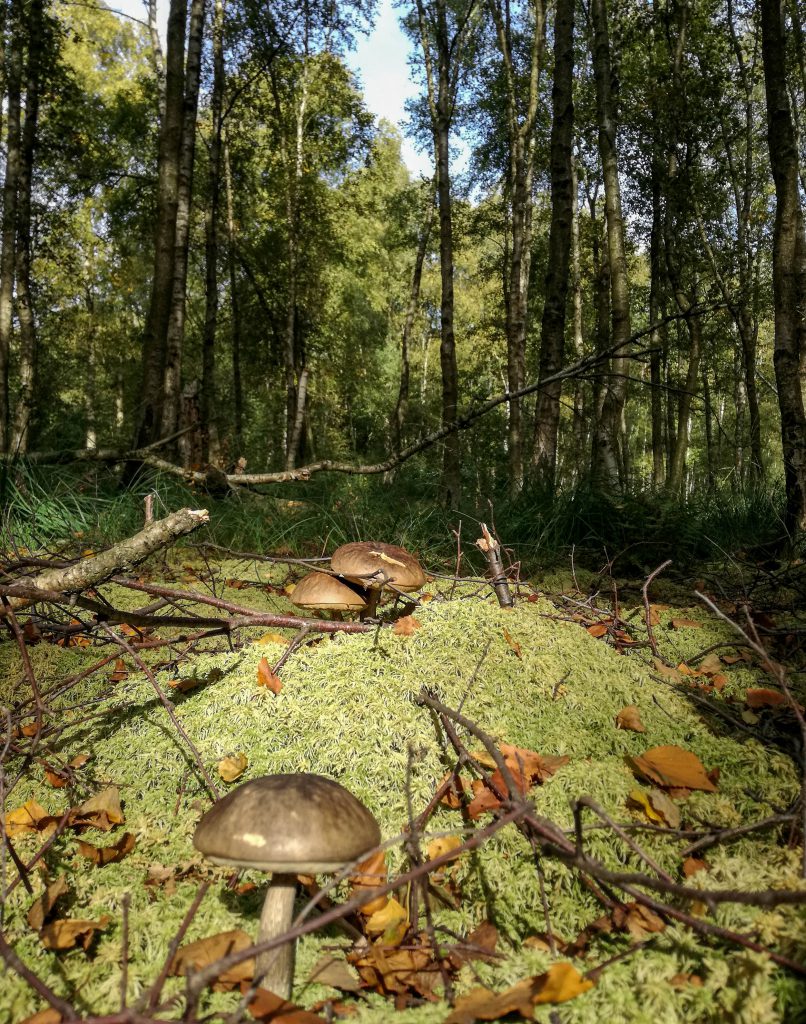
<point>44,508</point>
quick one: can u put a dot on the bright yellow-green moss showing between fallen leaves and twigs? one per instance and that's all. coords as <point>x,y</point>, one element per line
<point>348,711</point>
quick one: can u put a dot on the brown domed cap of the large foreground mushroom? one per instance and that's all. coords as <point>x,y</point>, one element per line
<point>288,824</point>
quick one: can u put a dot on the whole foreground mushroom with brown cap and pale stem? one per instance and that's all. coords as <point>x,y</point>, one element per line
<point>288,825</point>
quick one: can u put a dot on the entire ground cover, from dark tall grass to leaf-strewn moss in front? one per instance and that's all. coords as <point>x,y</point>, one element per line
<point>591,804</point>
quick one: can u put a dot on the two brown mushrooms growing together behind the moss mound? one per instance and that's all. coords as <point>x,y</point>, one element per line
<point>367,567</point>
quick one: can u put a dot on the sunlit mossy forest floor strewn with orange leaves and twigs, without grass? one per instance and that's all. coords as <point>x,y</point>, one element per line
<point>115,788</point>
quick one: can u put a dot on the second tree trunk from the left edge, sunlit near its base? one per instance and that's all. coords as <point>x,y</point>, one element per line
<point>21,432</point>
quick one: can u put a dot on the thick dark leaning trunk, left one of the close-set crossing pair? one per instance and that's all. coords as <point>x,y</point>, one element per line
<point>156,334</point>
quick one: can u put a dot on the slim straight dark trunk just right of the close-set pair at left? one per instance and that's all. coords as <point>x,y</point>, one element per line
<point>207,398</point>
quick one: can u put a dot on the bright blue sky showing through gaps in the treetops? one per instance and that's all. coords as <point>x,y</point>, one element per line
<point>380,61</point>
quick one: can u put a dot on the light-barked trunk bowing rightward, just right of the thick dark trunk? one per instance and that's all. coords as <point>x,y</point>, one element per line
<point>609,457</point>
